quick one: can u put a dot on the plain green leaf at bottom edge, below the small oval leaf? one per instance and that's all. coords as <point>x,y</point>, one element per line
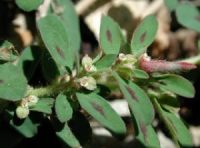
<point>68,137</point>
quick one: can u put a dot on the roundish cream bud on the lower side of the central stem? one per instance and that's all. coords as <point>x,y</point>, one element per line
<point>88,82</point>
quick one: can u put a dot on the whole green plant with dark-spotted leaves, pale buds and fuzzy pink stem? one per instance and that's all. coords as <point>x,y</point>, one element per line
<point>76,89</point>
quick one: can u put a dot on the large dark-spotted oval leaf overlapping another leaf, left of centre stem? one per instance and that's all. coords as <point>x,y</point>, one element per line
<point>56,40</point>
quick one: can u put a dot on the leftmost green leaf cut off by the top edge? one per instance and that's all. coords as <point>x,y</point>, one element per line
<point>28,5</point>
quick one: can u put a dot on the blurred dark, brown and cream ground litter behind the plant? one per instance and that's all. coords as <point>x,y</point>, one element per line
<point>173,42</point>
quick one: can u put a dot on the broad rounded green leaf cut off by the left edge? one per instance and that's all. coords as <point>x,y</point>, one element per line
<point>12,82</point>
